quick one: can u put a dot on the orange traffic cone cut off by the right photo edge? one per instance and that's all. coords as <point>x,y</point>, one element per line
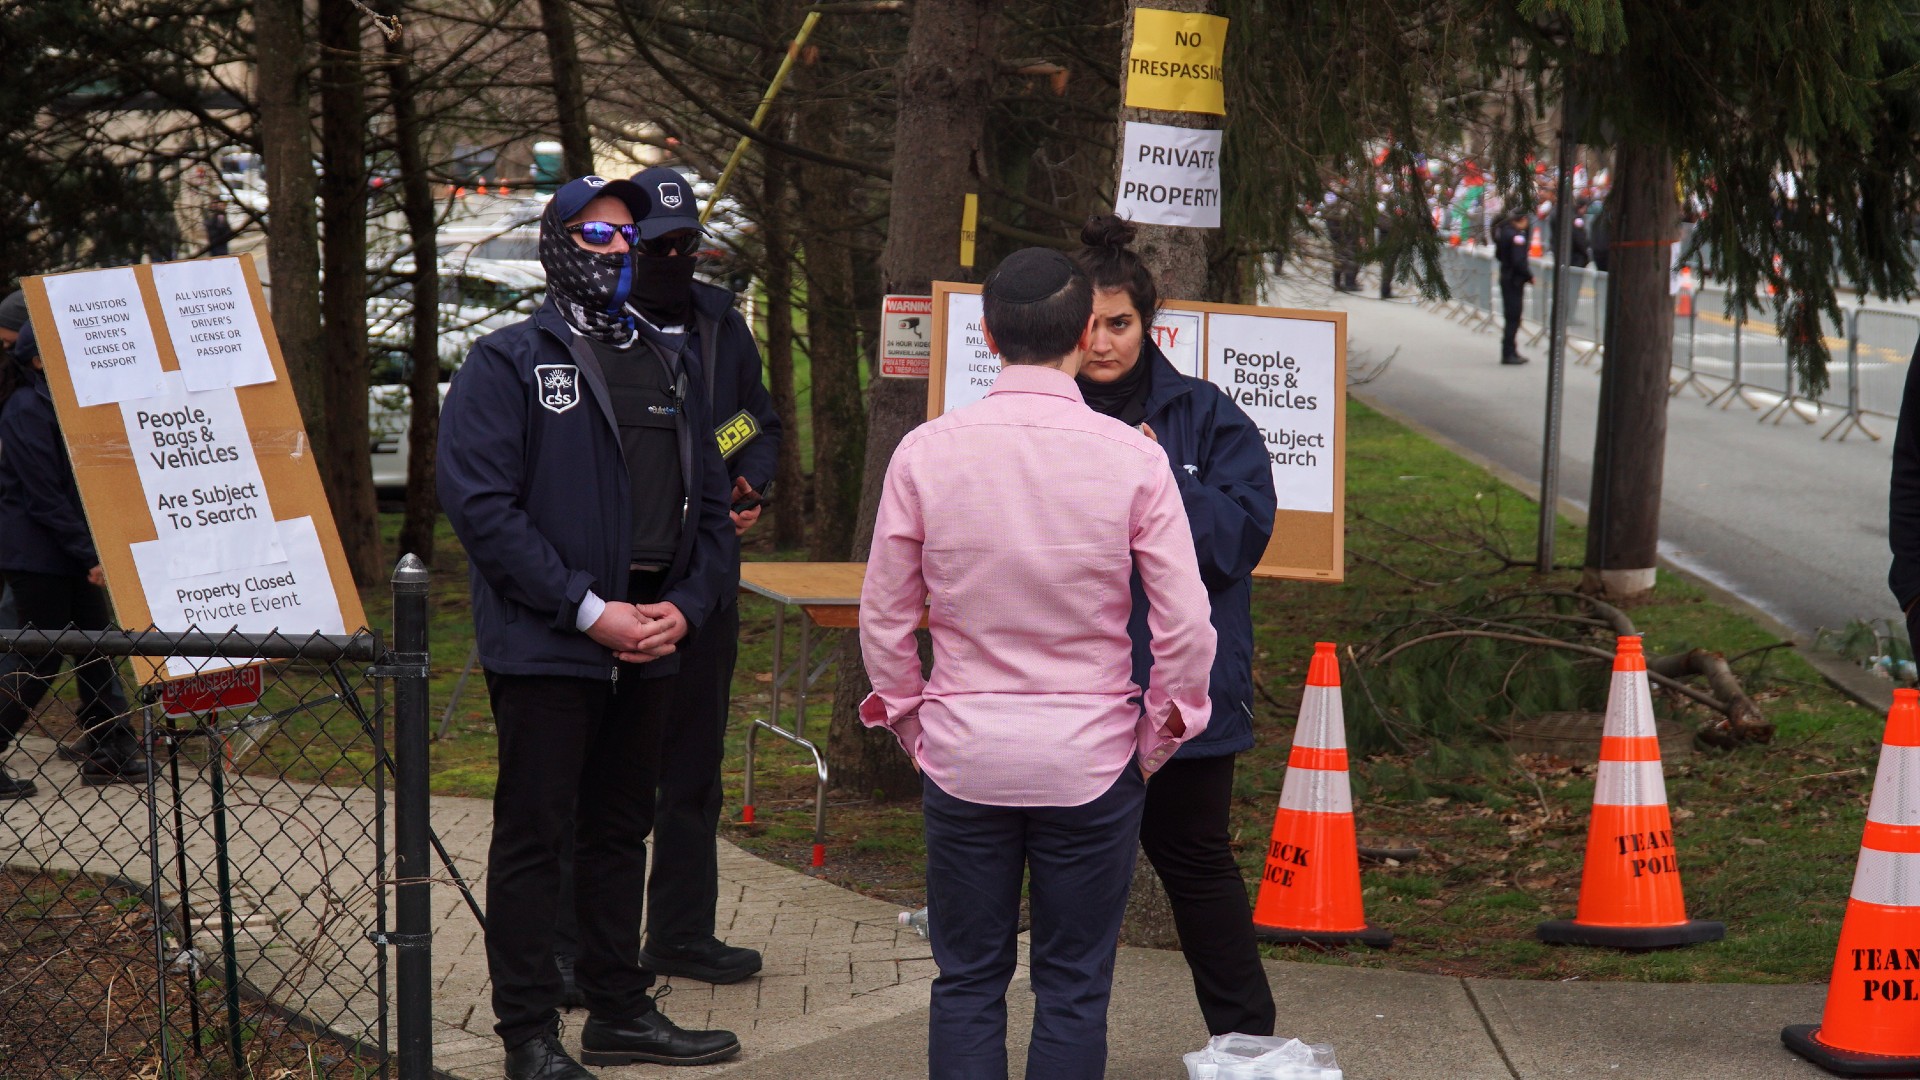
<point>1869,1027</point>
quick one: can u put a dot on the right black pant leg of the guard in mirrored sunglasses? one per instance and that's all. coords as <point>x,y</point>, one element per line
<point>617,785</point>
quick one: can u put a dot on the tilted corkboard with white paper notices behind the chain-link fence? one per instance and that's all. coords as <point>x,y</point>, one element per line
<point>191,456</point>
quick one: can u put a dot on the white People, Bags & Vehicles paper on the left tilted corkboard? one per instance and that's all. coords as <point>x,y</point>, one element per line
<point>203,483</point>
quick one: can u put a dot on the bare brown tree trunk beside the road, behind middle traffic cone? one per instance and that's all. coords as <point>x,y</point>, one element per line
<point>1631,439</point>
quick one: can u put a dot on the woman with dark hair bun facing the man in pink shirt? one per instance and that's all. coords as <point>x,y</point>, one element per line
<point>1226,481</point>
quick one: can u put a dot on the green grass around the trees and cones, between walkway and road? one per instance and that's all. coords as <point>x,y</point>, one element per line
<point>1767,835</point>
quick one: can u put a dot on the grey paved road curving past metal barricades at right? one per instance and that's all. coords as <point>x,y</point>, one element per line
<point>1788,522</point>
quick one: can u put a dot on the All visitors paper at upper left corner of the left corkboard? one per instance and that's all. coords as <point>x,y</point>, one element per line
<point>105,333</point>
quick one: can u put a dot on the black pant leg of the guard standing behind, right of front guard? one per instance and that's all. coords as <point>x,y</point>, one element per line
<point>686,871</point>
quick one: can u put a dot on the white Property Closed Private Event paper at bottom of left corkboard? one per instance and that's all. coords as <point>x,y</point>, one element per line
<point>295,597</point>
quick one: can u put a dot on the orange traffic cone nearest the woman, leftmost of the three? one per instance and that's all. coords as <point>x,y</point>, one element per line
<point>1310,891</point>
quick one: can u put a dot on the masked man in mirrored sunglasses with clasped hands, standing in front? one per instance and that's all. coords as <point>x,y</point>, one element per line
<point>579,468</point>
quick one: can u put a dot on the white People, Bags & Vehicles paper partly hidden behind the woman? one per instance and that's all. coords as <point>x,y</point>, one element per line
<point>1282,372</point>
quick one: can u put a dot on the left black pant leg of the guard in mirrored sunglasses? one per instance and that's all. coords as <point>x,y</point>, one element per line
<point>544,729</point>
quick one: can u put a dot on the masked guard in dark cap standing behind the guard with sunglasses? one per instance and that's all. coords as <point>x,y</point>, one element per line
<point>698,324</point>
